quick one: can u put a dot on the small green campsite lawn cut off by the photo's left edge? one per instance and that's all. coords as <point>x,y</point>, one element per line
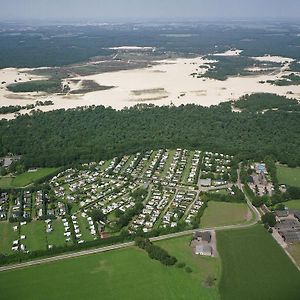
<point>7,236</point>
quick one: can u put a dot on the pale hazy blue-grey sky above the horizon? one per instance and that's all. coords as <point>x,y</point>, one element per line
<point>147,9</point>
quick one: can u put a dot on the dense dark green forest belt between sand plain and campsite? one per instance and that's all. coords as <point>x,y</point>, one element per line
<point>62,137</point>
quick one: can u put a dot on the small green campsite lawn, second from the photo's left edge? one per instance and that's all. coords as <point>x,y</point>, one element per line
<point>35,232</point>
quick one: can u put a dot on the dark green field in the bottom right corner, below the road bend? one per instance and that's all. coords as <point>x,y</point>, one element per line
<point>254,267</point>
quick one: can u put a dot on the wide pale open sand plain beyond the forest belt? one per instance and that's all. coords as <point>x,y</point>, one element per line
<point>169,81</point>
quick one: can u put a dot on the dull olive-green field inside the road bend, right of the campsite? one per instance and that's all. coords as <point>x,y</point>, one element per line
<point>224,213</point>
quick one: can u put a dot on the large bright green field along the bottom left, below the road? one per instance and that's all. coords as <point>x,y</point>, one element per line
<point>121,274</point>
